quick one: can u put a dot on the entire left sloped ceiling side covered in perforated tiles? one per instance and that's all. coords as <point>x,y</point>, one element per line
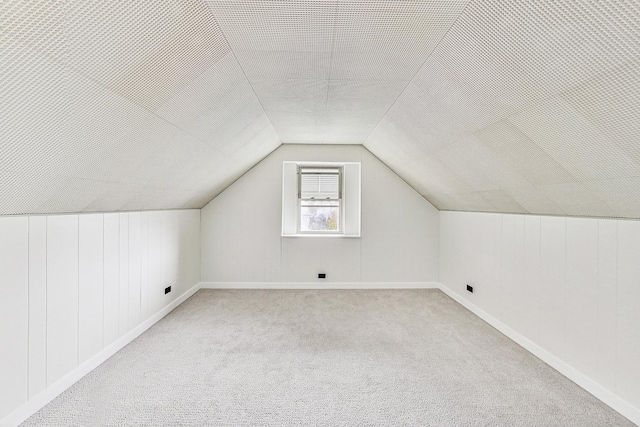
<point>117,105</point>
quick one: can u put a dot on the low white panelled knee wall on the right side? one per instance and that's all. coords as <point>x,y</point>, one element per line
<point>570,285</point>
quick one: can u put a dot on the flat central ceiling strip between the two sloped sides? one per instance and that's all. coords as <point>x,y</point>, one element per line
<point>327,71</point>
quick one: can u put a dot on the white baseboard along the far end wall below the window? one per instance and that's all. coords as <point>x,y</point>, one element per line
<point>317,285</point>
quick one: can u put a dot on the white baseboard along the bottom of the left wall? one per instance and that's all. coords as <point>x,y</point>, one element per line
<point>39,401</point>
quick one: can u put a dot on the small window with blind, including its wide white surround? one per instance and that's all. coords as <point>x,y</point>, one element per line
<point>321,199</point>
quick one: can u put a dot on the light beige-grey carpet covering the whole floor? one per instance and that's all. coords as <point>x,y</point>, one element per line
<point>324,357</point>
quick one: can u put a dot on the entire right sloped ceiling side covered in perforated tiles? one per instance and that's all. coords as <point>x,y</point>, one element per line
<point>527,106</point>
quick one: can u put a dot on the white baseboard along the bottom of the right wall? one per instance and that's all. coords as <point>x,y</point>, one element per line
<point>624,408</point>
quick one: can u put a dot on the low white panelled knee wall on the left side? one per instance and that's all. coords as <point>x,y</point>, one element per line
<point>71,285</point>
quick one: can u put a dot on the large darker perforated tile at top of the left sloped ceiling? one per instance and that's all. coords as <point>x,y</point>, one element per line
<point>144,51</point>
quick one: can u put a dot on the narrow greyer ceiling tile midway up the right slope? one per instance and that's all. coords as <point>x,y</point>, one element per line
<point>514,148</point>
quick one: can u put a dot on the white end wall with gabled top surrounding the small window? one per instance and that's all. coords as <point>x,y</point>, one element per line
<point>241,228</point>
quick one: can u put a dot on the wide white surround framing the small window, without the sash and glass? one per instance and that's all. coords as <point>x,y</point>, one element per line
<point>350,199</point>
